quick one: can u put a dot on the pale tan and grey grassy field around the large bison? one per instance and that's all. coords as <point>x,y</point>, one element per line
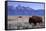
<point>22,23</point>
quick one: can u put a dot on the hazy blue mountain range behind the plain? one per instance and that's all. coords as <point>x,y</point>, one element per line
<point>21,10</point>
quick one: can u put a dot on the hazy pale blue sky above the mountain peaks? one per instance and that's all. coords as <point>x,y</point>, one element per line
<point>35,6</point>
